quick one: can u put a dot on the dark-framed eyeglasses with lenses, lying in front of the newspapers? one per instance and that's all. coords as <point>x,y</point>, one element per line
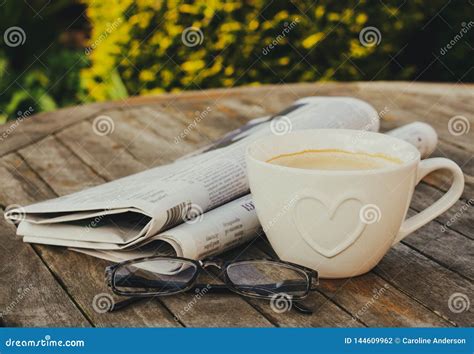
<point>163,276</point>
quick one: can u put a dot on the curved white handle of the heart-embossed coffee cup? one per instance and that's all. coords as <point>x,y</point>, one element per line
<point>441,205</point>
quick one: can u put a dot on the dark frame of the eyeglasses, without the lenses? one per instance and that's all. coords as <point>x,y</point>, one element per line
<point>200,266</point>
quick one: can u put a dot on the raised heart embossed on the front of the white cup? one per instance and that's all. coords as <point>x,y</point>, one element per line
<point>328,226</point>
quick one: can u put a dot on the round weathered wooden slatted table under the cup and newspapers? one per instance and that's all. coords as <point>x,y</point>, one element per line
<point>58,153</point>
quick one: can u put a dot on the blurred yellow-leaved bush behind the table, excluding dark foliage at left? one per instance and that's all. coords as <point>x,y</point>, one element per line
<point>146,49</point>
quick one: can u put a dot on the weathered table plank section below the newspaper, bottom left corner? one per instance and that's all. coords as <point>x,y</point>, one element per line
<point>29,295</point>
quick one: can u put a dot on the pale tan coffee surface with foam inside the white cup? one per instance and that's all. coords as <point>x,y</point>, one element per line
<point>335,159</point>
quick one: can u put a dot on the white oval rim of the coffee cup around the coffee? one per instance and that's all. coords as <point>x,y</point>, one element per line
<point>405,164</point>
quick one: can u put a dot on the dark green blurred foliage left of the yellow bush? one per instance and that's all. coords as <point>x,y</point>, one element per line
<point>41,73</point>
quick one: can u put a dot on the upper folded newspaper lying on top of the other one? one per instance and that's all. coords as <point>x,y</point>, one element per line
<point>124,213</point>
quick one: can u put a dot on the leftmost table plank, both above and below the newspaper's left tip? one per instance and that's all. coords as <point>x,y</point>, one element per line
<point>30,295</point>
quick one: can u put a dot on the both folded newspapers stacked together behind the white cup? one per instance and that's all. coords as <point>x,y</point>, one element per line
<point>197,206</point>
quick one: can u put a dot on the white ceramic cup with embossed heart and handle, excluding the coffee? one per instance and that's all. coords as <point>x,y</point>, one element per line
<point>341,222</point>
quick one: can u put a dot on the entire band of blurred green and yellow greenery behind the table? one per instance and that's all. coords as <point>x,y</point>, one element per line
<point>84,51</point>
